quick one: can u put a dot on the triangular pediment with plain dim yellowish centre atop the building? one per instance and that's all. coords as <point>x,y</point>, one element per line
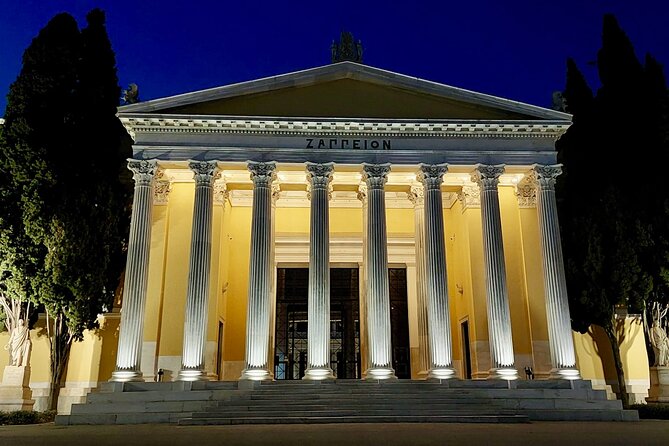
<point>345,90</point>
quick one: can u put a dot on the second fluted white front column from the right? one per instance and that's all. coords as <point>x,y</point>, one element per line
<point>497,295</point>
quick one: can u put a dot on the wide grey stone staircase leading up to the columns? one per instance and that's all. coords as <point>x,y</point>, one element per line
<point>346,401</point>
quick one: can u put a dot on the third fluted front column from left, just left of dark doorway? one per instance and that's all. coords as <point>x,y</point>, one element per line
<point>258,312</point>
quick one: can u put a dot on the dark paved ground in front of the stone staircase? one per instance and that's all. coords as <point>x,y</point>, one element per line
<point>644,433</point>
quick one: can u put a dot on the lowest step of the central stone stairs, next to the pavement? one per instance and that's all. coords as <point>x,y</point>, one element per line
<point>455,418</point>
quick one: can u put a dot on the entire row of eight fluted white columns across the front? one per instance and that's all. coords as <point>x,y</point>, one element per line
<point>431,273</point>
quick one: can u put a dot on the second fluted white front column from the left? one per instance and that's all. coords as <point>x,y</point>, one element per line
<point>197,296</point>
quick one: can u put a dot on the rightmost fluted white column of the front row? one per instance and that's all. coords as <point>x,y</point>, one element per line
<point>560,338</point>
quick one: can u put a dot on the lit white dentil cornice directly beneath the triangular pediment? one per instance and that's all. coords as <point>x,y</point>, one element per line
<point>189,124</point>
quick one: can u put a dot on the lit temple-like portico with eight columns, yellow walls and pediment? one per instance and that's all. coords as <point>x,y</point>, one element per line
<point>453,186</point>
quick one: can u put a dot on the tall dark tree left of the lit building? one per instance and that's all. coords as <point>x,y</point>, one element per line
<point>62,154</point>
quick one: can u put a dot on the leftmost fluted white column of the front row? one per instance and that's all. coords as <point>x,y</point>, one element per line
<point>129,351</point>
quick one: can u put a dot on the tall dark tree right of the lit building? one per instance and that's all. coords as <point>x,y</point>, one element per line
<point>610,230</point>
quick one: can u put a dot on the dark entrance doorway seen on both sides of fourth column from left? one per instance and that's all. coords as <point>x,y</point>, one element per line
<point>290,347</point>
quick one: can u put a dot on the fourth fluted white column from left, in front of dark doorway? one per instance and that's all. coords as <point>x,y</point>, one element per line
<point>318,329</point>
